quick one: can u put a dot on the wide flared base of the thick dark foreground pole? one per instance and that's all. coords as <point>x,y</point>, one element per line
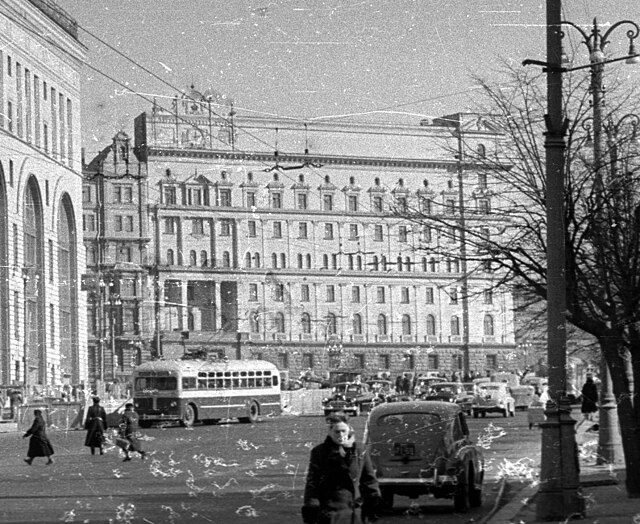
<point>559,497</point>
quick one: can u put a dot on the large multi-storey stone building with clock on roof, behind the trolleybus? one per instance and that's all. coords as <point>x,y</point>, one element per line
<point>299,242</point>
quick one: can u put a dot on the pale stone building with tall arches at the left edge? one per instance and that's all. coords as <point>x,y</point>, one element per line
<point>42,321</point>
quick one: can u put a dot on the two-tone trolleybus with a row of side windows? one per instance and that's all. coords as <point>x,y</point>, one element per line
<point>190,391</point>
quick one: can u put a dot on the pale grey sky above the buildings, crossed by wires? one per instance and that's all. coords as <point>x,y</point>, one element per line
<point>309,59</point>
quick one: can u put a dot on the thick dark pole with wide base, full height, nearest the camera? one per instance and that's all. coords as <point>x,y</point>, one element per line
<point>559,495</point>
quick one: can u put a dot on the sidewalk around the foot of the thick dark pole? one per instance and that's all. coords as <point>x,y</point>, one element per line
<point>606,500</point>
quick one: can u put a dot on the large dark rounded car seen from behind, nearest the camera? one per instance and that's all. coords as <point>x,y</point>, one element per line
<point>423,448</point>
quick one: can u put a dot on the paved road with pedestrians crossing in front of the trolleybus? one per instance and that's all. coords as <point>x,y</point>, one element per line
<point>223,474</point>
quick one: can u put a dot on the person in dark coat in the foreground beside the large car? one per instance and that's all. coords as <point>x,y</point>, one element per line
<point>341,486</point>
